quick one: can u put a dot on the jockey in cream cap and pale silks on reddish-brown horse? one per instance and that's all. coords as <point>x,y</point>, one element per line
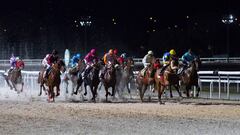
<point>147,61</point>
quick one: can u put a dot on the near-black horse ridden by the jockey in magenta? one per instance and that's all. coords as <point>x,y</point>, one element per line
<point>92,80</point>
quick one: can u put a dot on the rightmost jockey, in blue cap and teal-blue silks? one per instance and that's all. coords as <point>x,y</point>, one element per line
<point>188,57</point>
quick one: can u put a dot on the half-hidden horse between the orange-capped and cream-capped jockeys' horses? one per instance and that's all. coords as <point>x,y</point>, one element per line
<point>124,76</point>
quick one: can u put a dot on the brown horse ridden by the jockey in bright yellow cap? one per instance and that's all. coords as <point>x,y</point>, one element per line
<point>170,78</point>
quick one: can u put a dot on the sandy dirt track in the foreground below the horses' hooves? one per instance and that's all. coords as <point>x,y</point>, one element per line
<point>117,118</point>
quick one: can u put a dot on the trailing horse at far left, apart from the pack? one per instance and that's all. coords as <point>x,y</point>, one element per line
<point>13,78</point>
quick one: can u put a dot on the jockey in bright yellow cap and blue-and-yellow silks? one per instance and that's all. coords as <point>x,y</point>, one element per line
<point>167,57</point>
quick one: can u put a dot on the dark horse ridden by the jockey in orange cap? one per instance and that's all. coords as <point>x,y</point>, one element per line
<point>109,79</point>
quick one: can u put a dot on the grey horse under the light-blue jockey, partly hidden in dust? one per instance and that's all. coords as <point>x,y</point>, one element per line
<point>75,76</point>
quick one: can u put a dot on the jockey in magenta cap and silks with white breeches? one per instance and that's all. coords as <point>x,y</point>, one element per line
<point>89,61</point>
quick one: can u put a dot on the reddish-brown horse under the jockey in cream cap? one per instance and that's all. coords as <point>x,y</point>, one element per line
<point>144,81</point>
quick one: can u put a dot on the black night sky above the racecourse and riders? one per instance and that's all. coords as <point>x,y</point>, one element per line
<point>142,25</point>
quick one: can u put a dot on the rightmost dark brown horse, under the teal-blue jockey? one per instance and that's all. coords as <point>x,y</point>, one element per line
<point>189,77</point>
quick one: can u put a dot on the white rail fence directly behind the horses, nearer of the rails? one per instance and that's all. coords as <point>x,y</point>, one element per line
<point>223,79</point>
